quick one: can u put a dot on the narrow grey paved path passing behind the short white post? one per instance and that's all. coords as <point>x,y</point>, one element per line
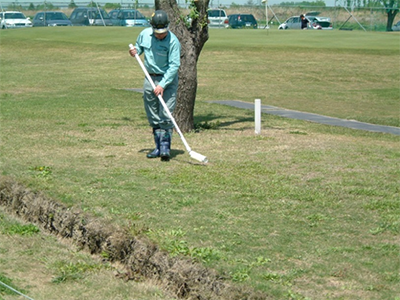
<point>311,117</point>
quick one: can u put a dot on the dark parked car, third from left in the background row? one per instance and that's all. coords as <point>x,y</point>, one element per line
<point>90,16</point>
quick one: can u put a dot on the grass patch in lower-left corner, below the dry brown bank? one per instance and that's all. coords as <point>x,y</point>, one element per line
<point>41,267</point>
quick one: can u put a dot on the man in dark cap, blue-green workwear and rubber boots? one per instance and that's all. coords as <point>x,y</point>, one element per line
<point>161,50</point>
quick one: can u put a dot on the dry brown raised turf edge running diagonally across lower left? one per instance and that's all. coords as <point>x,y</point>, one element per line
<point>178,275</point>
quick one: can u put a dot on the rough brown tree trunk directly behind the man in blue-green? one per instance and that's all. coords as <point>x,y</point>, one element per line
<point>192,40</point>
